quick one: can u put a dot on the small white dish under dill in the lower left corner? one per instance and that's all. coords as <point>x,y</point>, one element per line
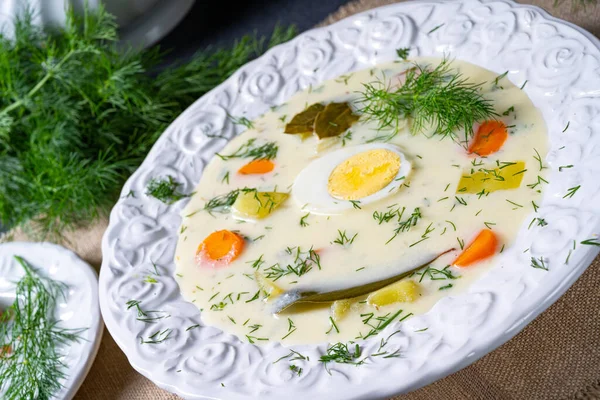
<point>80,309</point>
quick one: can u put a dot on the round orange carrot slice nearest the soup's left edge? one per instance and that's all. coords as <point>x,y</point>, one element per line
<point>220,248</point>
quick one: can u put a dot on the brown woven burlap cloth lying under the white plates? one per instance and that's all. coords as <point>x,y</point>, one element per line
<point>556,357</point>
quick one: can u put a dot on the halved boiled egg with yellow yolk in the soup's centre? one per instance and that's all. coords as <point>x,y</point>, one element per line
<point>350,177</point>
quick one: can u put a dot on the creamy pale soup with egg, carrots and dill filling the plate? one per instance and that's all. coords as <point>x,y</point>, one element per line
<point>345,186</point>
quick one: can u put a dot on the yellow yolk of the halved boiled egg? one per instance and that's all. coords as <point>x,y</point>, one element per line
<point>363,174</point>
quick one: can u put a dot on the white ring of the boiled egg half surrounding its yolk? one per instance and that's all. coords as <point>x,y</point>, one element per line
<point>310,186</point>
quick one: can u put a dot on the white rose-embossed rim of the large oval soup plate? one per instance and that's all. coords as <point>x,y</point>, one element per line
<point>560,64</point>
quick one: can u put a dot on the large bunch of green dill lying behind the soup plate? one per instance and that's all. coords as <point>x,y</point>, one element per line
<point>77,115</point>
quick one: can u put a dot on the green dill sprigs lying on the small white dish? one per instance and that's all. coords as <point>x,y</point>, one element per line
<point>31,359</point>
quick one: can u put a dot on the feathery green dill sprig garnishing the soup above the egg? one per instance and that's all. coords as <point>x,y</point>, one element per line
<point>439,98</point>
